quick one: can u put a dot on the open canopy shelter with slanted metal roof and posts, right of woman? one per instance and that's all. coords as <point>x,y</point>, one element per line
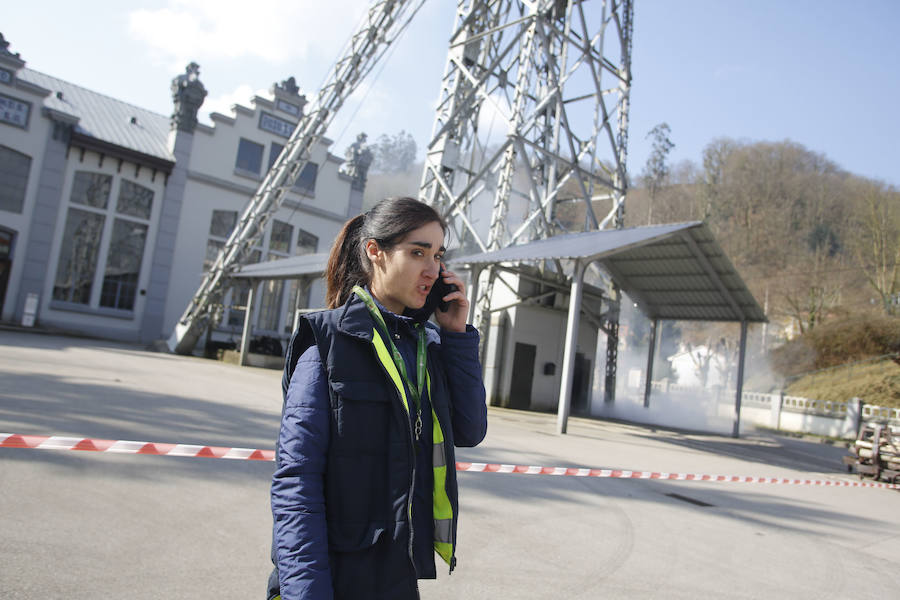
<point>676,271</point>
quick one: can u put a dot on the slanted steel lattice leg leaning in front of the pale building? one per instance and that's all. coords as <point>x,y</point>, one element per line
<point>383,23</point>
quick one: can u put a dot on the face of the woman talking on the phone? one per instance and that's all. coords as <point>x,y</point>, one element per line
<point>403,275</point>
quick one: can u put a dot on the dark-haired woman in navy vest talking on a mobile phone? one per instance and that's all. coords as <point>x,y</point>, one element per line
<point>365,492</point>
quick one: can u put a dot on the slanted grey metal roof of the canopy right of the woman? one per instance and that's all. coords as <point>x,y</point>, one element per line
<point>676,271</point>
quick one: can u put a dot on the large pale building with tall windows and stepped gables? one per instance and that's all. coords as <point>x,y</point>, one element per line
<point>110,213</point>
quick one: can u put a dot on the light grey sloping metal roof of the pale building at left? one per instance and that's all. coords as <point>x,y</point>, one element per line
<point>105,118</point>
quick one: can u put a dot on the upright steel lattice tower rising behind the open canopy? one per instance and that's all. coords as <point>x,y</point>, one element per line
<point>556,75</point>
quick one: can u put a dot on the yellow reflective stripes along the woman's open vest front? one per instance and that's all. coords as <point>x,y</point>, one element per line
<point>442,511</point>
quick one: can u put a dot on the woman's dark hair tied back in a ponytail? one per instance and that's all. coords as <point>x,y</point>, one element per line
<point>386,223</point>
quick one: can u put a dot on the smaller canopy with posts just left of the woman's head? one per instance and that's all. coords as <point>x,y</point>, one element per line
<point>304,267</point>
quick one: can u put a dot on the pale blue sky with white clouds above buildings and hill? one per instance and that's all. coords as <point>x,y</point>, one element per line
<point>822,73</point>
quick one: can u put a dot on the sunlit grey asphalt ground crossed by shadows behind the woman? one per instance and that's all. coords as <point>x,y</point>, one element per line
<point>89,525</point>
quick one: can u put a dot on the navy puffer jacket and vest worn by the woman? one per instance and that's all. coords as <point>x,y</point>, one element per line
<point>347,462</point>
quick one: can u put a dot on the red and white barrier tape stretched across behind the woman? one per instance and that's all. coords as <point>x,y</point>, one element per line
<point>43,442</point>
